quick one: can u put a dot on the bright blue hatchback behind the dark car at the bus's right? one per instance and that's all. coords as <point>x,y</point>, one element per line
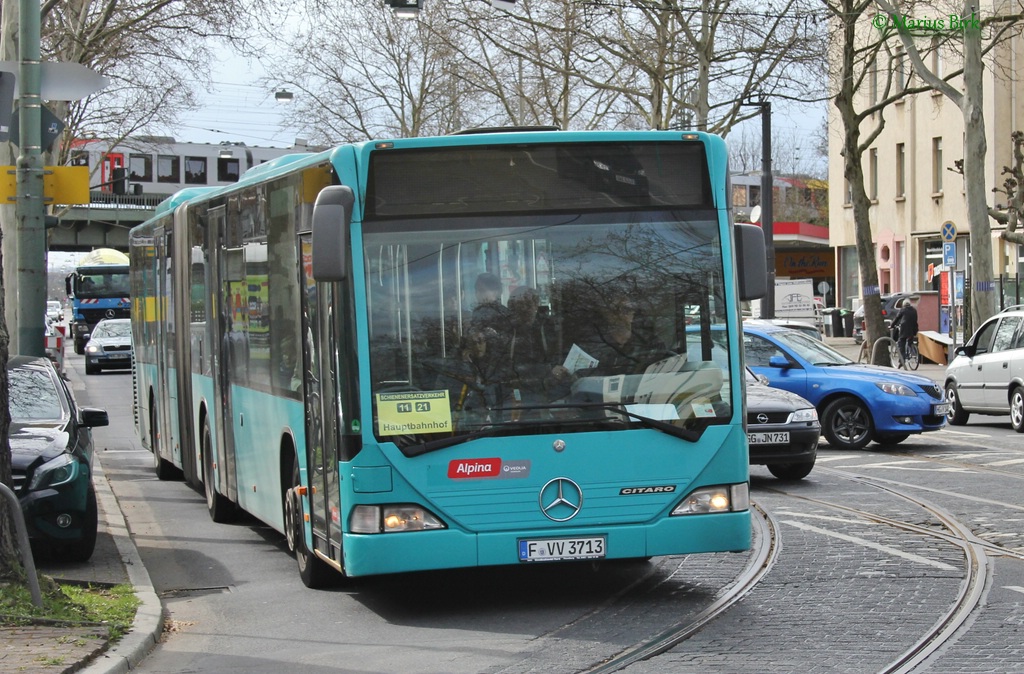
<point>857,404</point>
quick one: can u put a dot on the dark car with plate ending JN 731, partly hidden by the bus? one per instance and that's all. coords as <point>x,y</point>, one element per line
<point>783,431</point>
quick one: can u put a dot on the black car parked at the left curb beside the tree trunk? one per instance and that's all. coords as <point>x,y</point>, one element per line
<point>52,459</point>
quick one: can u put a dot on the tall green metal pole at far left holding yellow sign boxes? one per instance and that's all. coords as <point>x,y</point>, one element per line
<point>29,210</point>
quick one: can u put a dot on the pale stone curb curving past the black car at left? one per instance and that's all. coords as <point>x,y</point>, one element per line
<point>149,624</point>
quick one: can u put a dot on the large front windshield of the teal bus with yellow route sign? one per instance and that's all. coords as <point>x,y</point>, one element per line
<point>545,324</point>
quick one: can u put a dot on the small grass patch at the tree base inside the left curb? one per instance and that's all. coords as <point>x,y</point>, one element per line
<point>111,607</point>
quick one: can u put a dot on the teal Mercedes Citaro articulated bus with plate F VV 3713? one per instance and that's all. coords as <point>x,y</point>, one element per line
<point>500,348</point>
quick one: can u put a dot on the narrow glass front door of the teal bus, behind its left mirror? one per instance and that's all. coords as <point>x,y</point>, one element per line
<point>321,411</point>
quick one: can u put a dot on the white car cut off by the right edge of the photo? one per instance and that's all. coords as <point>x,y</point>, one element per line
<point>987,375</point>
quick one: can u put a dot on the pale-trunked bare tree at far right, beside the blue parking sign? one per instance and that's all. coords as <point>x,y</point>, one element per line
<point>980,35</point>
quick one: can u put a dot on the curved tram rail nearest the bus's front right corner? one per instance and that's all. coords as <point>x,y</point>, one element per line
<point>763,558</point>
